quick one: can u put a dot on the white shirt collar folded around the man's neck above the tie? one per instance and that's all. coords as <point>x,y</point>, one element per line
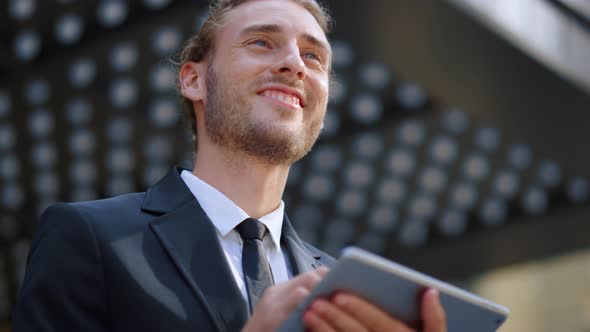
<point>225,214</point>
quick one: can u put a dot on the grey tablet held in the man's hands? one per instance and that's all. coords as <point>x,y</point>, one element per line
<point>398,290</point>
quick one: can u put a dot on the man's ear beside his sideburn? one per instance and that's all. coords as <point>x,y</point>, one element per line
<point>192,77</point>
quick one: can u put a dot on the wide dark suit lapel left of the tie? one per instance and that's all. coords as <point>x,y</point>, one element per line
<point>189,238</point>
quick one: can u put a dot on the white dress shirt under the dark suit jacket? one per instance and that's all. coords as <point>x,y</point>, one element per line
<point>225,216</point>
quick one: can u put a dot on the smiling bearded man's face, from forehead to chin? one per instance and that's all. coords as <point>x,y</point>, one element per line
<point>267,81</point>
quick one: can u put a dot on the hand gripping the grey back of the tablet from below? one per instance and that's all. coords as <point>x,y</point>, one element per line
<point>347,312</point>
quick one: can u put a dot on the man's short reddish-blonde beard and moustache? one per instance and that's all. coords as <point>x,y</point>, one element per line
<point>229,124</point>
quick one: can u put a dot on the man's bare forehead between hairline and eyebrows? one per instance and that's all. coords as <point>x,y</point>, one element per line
<point>290,16</point>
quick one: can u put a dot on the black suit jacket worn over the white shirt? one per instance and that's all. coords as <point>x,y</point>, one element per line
<point>139,262</point>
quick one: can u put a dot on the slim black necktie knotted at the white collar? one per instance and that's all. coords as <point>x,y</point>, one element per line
<point>257,273</point>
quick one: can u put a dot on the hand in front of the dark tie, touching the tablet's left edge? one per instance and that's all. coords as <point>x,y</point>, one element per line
<point>280,300</point>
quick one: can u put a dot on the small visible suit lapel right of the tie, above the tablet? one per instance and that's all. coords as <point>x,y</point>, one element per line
<point>302,259</point>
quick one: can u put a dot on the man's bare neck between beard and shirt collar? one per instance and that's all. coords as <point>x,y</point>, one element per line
<point>255,187</point>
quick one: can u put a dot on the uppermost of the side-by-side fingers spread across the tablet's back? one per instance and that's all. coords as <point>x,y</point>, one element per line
<point>368,314</point>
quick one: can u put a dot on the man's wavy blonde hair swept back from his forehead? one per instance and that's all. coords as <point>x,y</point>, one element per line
<point>201,45</point>
